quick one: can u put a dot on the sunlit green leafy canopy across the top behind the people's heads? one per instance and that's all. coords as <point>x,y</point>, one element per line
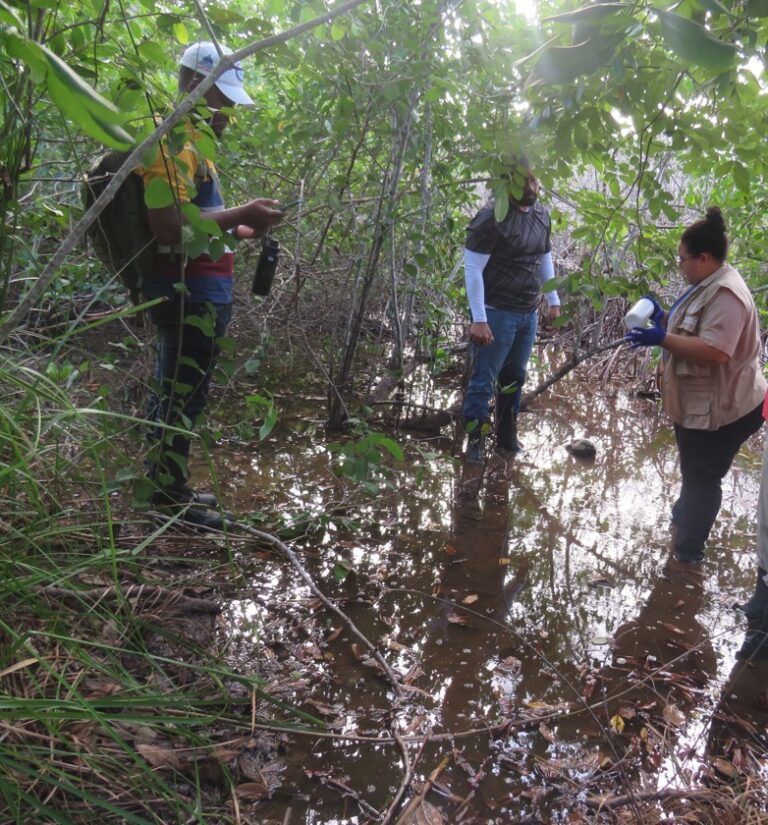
<point>635,114</point>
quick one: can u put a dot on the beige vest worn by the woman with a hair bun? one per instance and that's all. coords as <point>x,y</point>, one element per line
<point>709,396</point>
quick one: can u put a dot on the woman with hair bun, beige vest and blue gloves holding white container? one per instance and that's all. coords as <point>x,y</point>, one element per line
<point>713,386</point>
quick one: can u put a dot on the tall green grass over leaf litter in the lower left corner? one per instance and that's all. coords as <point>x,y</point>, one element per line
<point>86,693</point>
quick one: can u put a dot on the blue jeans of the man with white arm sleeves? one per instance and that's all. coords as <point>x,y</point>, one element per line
<point>504,361</point>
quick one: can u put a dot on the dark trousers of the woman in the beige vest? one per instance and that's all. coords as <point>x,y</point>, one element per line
<point>705,458</point>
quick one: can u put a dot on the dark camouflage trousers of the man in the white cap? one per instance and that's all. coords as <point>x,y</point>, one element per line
<point>188,338</point>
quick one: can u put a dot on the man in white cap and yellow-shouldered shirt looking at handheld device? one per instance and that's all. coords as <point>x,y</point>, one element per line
<point>198,290</point>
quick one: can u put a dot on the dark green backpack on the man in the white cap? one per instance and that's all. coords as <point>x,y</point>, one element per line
<point>121,236</point>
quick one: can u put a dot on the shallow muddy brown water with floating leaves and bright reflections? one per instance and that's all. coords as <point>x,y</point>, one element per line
<point>530,613</point>
